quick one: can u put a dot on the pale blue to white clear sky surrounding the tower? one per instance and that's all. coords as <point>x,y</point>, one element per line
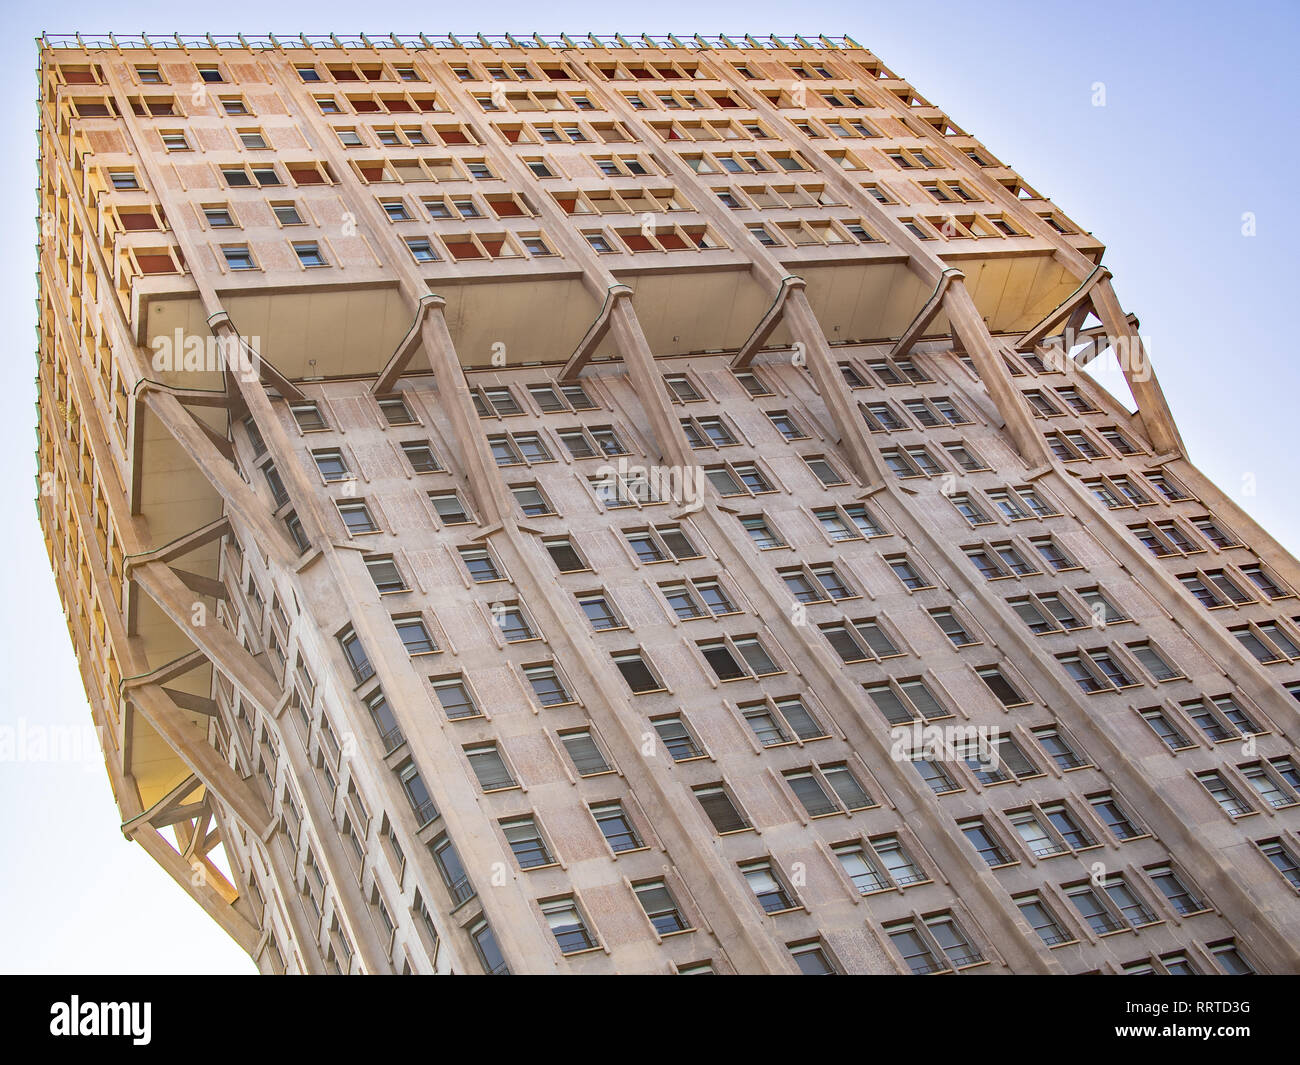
<point>1198,129</point>
